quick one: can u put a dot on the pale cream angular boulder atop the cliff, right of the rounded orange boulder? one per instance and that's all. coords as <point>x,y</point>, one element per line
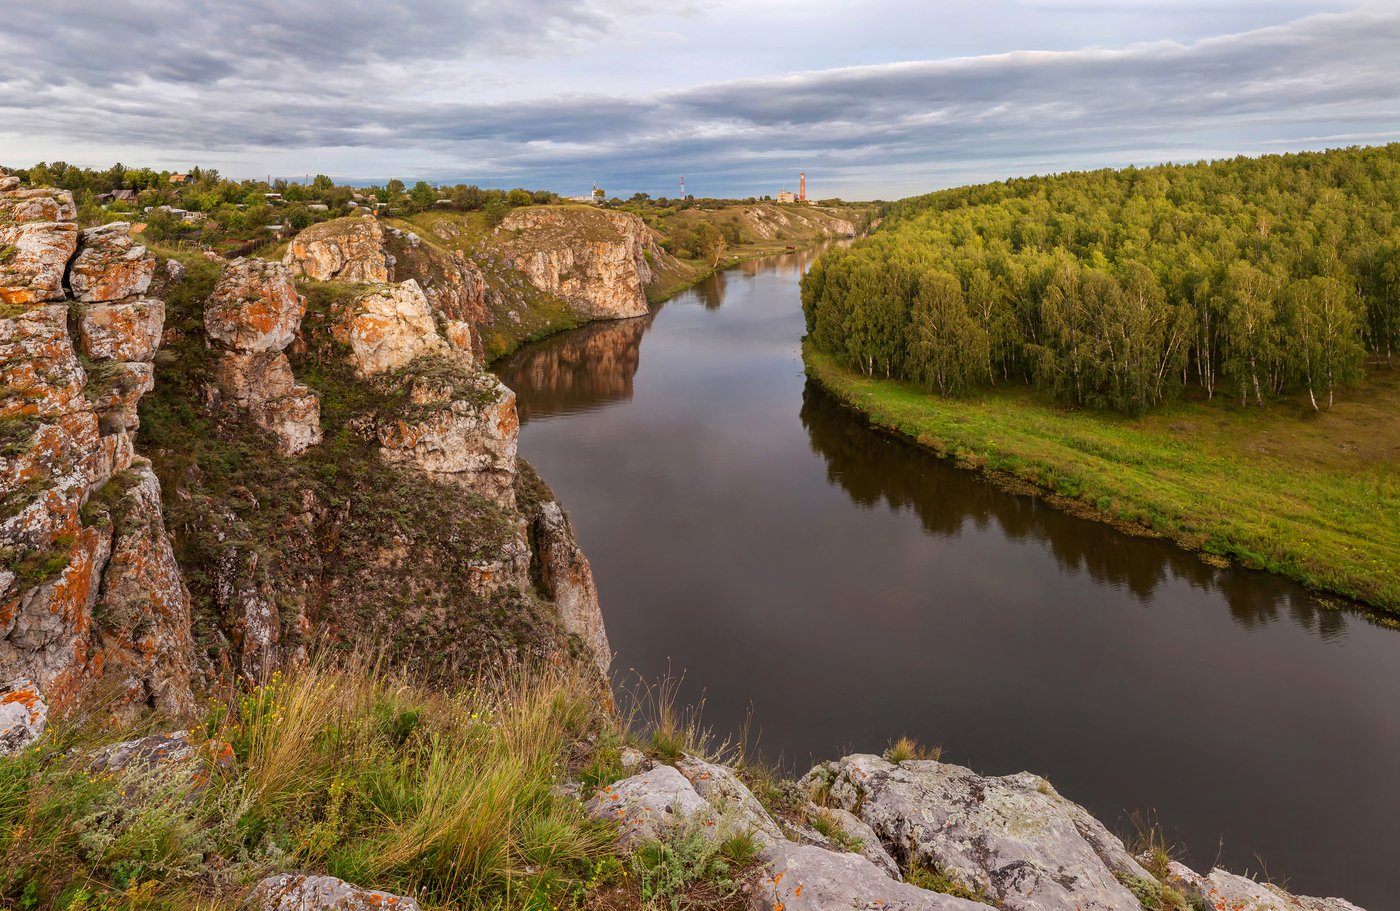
<point>388,330</point>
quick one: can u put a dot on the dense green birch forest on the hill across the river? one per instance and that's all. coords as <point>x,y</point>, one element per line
<point>1121,289</point>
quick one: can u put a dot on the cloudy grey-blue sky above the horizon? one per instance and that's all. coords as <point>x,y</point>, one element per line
<point>873,100</point>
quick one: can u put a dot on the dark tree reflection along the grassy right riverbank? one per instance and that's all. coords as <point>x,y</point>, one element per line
<point>876,468</point>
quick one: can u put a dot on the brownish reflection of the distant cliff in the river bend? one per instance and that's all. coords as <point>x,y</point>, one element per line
<point>577,372</point>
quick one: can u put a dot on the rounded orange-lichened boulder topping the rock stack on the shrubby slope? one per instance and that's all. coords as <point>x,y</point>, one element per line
<point>254,307</point>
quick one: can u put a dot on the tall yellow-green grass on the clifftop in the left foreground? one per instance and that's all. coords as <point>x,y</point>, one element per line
<point>348,769</point>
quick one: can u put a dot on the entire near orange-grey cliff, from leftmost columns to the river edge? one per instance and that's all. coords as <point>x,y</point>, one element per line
<point>321,461</point>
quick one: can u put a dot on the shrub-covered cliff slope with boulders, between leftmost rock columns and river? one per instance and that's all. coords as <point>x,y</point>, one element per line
<point>387,510</point>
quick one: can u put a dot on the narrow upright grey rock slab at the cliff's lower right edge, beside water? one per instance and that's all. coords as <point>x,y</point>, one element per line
<point>569,580</point>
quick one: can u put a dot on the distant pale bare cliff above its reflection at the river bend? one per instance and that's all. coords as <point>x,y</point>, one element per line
<point>594,260</point>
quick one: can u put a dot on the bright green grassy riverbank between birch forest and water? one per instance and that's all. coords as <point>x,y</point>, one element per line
<point>1312,497</point>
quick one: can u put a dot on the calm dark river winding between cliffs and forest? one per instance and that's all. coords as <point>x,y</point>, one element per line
<point>849,588</point>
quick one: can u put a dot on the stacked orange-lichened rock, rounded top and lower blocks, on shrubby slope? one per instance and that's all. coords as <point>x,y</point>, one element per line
<point>253,316</point>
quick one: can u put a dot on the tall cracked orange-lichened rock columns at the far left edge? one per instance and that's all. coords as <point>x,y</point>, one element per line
<point>90,593</point>
